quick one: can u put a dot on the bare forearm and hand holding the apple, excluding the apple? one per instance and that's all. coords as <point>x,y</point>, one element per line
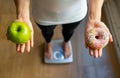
<point>23,15</point>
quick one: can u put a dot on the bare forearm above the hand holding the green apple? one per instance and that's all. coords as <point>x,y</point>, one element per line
<point>22,9</point>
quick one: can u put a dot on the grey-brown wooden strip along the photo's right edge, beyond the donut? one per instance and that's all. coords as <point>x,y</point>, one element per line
<point>112,13</point>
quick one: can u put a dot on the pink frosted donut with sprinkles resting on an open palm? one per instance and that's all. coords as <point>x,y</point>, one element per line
<point>97,38</point>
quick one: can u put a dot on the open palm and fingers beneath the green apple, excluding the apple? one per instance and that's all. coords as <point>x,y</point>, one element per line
<point>26,46</point>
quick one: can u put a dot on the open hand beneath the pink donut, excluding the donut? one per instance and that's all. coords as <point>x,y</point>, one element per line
<point>91,25</point>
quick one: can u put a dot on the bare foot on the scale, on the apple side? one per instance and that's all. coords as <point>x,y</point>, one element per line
<point>48,50</point>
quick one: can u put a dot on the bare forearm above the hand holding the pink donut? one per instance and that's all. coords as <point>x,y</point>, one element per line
<point>95,8</point>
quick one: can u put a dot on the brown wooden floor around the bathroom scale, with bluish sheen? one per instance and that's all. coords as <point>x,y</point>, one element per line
<point>31,65</point>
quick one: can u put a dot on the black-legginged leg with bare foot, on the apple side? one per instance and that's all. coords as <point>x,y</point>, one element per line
<point>47,32</point>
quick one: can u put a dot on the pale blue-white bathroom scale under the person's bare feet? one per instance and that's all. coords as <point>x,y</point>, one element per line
<point>58,54</point>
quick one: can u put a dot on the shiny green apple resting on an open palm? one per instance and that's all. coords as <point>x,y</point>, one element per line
<point>18,32</point>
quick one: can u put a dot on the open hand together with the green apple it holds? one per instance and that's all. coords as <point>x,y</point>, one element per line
<point>22,35</point>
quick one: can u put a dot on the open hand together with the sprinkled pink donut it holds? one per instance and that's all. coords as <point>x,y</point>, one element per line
<point>97,36</point>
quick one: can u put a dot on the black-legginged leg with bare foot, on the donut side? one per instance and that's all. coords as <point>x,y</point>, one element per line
<point>67,31</point>
